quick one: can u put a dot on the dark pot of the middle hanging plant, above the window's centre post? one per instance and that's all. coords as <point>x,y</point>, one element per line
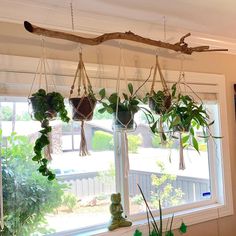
<point>124,120</point>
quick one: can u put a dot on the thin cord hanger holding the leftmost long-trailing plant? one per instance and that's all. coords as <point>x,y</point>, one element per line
<point>41,70</point>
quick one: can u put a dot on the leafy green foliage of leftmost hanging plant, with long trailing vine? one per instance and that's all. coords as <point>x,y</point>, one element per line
<point>46,106</point>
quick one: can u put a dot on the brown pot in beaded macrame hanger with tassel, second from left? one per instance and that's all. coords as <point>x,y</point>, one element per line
<point>83,103</point>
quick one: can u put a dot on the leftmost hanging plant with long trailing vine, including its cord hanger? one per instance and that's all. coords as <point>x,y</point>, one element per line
<point>45,107</point>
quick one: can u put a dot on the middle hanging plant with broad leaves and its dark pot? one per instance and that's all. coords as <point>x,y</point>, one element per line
<point>124,107</point>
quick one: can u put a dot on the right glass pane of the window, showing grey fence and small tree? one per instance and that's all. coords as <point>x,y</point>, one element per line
<point>155,167</point>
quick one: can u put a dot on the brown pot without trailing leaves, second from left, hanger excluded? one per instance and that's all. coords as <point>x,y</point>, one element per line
<point>82,108</point>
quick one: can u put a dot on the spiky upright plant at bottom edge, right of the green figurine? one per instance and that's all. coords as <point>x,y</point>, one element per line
<point>157,228</point>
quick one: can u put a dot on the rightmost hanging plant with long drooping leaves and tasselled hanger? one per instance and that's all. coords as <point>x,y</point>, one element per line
<point>185,117</point>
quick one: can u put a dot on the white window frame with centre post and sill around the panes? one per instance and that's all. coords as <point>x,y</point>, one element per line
<point>202,211</point>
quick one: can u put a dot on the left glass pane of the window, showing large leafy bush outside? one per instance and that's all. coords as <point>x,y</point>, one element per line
<point>81,194</point>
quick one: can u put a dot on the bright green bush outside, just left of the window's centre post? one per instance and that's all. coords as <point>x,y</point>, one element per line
<point>102,141</point>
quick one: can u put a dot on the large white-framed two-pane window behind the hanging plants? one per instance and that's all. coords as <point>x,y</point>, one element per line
<point>197,191</point>
